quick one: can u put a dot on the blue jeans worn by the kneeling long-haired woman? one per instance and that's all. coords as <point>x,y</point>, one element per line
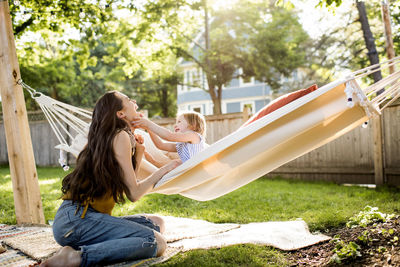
<point>104,239</point>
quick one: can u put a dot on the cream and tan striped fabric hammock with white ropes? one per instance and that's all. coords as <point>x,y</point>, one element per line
<point>266,144</point>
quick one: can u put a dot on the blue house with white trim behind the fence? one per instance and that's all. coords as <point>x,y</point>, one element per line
<point>239,93</point>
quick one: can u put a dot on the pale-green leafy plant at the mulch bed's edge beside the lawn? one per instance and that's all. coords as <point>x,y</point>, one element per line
<point>367,217</point>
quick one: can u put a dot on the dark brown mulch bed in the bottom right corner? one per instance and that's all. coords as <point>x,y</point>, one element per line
<point>381,249</point>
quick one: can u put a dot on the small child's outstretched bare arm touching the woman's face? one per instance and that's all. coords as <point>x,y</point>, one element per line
<point>189,137</point>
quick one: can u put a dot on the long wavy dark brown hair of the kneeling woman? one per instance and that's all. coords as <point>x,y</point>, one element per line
<point>97,171</point>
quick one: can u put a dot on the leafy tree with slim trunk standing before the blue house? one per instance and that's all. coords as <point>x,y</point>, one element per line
<point>229,43</point>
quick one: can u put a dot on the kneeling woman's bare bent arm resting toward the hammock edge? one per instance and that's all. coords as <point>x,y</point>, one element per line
<point>122,150</point>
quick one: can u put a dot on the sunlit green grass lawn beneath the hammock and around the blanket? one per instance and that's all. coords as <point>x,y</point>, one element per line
<point>322,205</point>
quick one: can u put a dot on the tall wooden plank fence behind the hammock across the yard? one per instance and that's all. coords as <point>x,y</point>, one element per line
<point>348,159</point>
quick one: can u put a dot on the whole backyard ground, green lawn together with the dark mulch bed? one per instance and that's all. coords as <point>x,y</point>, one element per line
<point>326,207</point>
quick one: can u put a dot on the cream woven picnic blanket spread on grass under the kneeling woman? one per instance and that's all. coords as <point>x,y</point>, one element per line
<point>182,234</point>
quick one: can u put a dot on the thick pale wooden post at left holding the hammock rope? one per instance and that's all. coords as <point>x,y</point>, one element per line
<point>28,204</point>
